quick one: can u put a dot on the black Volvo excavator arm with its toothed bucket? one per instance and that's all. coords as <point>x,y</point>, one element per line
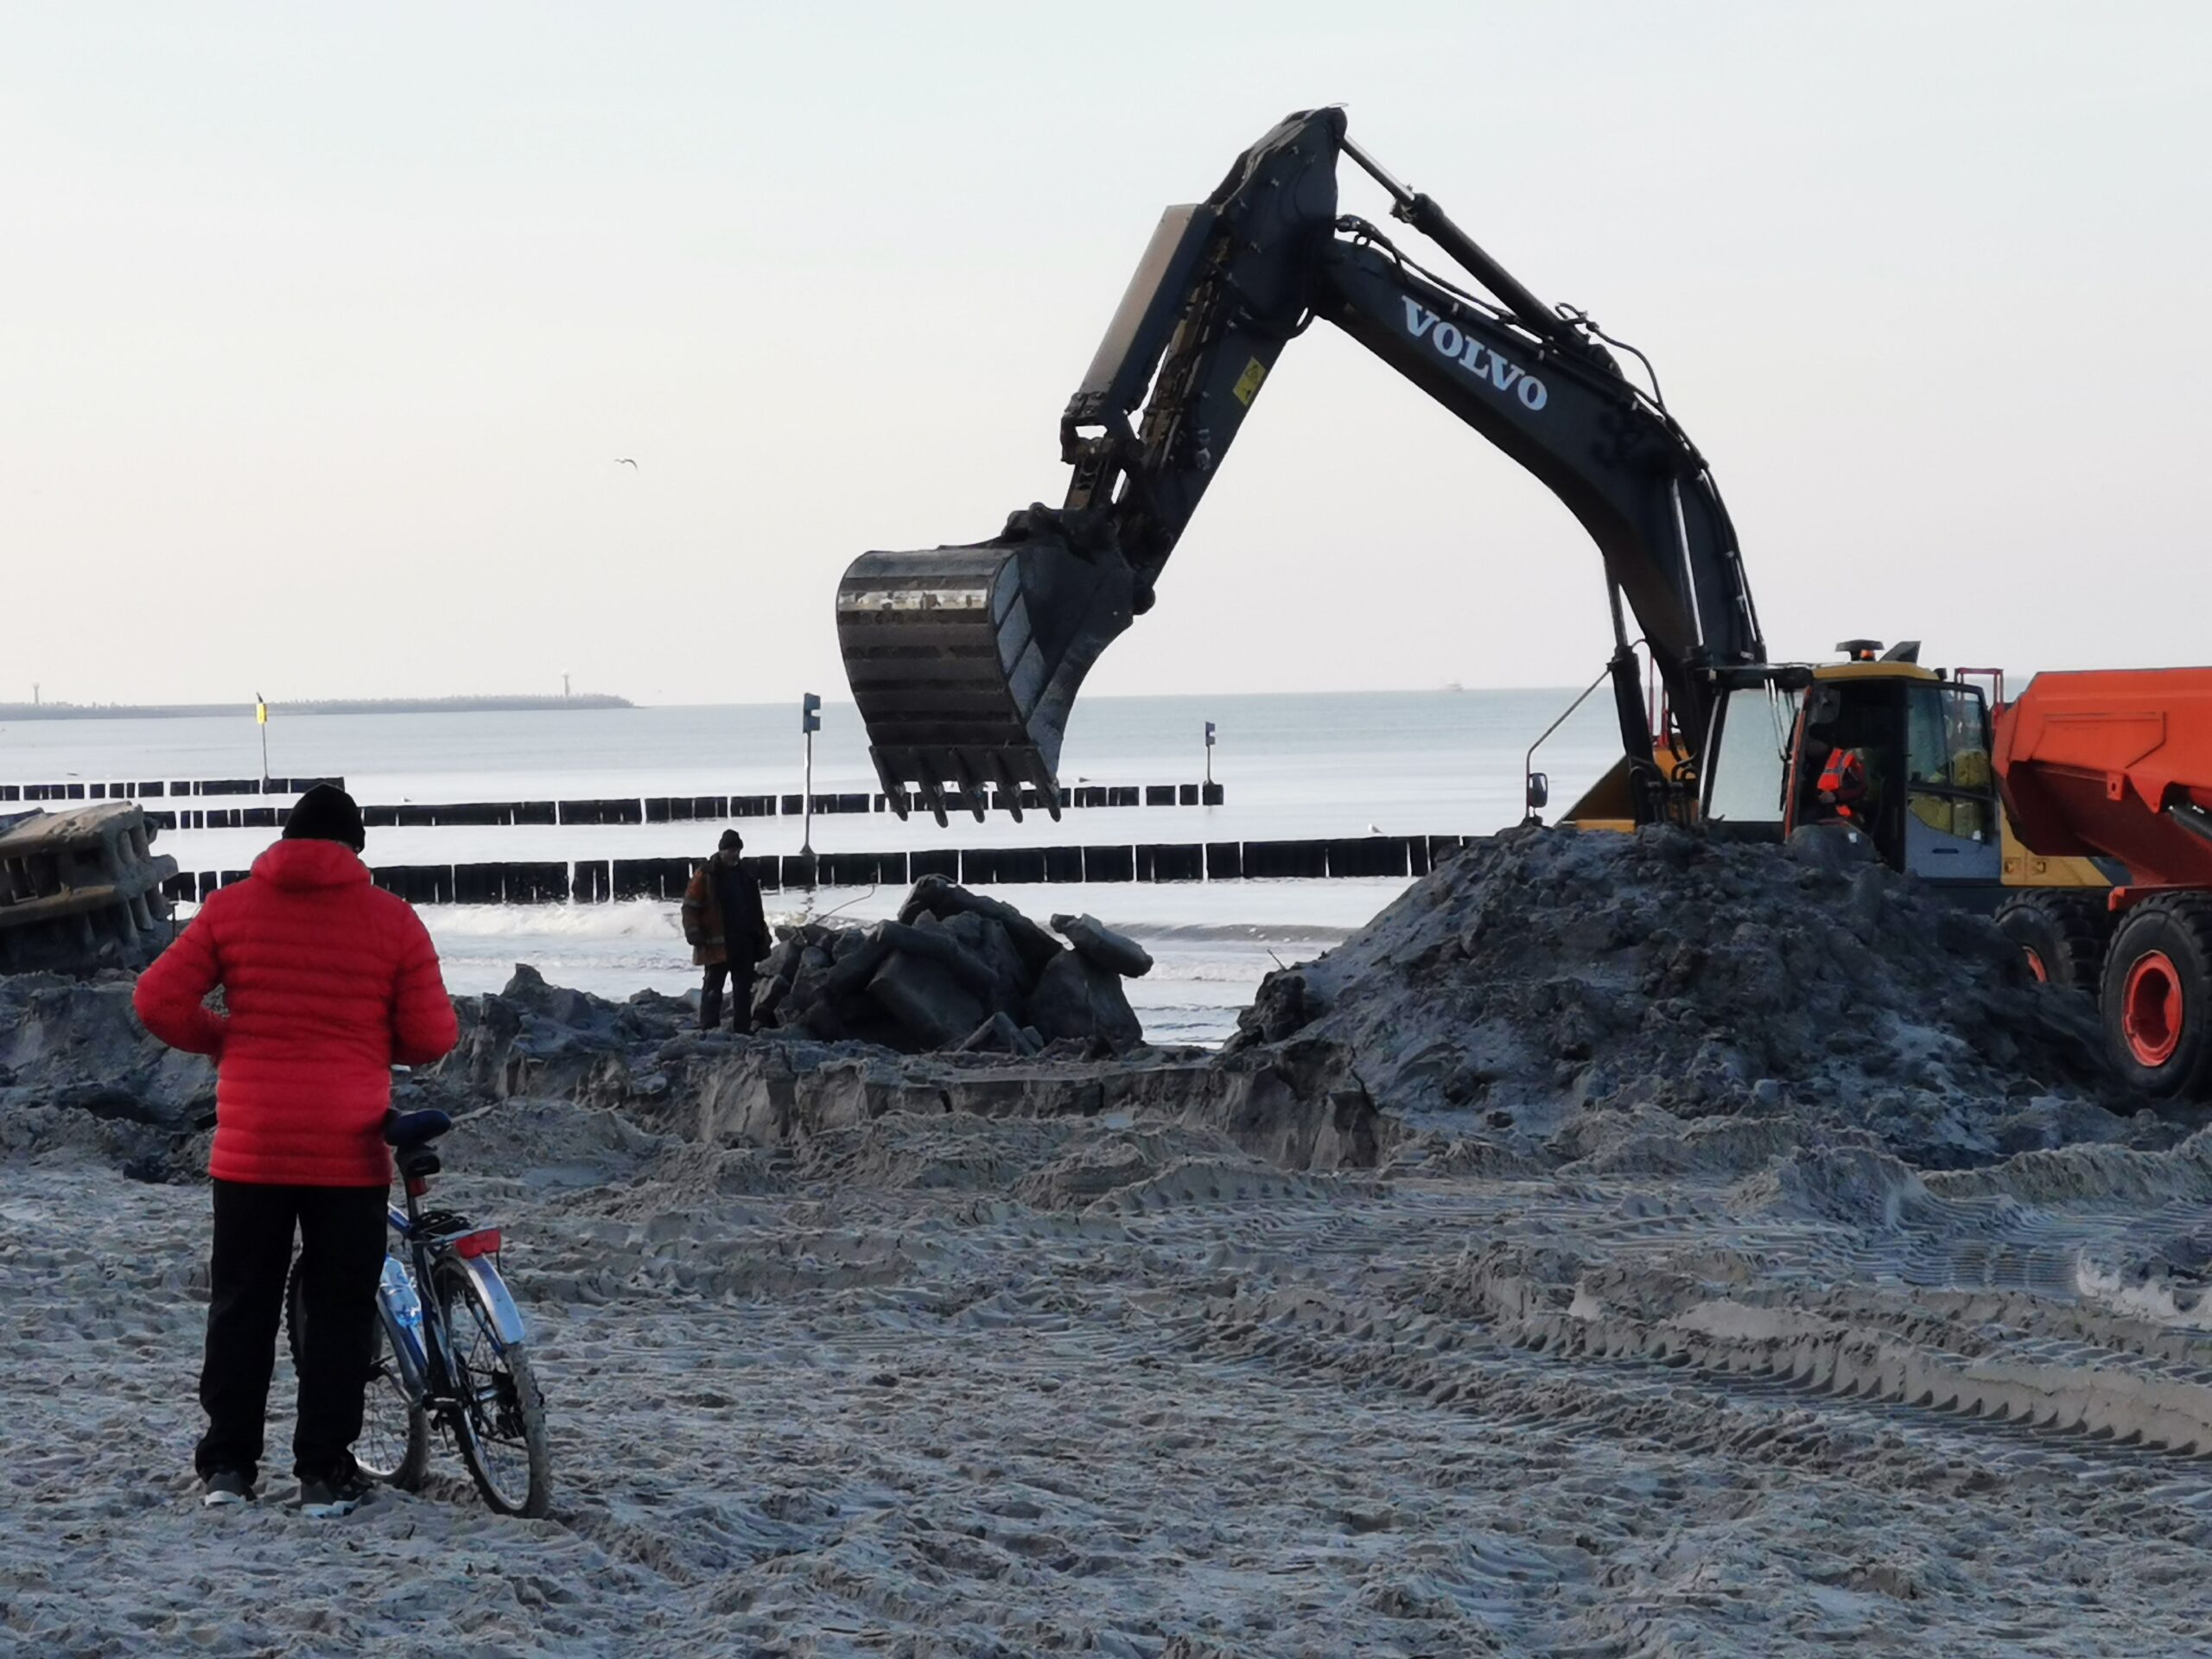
<point>966,660</point>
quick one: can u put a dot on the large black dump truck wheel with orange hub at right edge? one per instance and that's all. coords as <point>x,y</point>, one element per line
<point>2158,999</point>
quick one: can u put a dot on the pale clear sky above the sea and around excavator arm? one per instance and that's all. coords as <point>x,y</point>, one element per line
<point>324,328</point>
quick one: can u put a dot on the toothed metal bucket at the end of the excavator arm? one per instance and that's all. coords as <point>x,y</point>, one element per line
<point>968,658</point>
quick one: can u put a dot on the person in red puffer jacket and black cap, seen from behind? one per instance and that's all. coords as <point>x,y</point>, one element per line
<point>328,983</point>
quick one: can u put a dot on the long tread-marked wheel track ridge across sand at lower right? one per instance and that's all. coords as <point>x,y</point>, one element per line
<point>2003,1361</point>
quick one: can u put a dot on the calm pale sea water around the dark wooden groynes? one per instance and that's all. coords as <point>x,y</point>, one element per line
<point>1291,766</point>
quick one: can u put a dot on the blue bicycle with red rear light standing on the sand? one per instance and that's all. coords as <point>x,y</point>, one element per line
<point>459,1357</point>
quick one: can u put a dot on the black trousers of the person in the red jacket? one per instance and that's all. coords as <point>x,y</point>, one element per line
<point>342,1262</point>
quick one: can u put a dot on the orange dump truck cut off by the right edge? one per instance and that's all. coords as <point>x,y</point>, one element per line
<point>2118,766</point>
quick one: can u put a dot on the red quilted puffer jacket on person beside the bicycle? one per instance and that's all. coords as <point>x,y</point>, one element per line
<point>331,983</point>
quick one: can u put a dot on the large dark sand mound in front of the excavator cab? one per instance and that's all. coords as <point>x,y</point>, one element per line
<point>1561,994</point>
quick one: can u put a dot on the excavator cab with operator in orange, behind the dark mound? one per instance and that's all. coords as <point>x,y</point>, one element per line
<point>1903,755</point>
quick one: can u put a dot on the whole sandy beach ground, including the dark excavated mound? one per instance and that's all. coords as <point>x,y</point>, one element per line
<point>1662,1331</point>
